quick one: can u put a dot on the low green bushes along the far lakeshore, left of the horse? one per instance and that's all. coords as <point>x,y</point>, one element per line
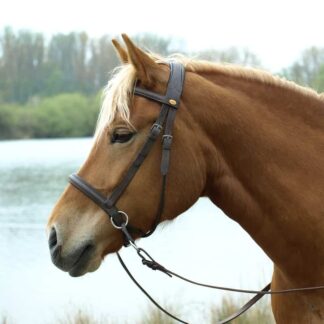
<point>64,115</point>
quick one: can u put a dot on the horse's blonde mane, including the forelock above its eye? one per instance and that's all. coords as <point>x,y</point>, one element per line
<point>119,90</point>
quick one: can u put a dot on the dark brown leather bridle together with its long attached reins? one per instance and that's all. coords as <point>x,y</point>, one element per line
<point>169,104</point>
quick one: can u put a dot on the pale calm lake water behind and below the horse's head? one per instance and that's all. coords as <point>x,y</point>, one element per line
<point>33,173</point>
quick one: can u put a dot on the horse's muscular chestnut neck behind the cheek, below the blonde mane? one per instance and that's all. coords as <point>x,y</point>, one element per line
<point>268,171</point>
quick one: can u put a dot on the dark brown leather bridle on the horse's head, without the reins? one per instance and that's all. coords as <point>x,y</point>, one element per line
<point>170,103</point>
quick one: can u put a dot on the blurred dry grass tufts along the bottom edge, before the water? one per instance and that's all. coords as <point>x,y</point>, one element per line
<point>260,313</point>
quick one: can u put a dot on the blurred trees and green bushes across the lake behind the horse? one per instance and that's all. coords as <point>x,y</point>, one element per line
<point>52,87</point>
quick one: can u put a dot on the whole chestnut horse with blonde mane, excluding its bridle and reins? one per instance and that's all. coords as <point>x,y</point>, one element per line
<point>251,142</point>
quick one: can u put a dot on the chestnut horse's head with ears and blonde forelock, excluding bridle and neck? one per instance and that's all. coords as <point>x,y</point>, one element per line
<point>80,231</point>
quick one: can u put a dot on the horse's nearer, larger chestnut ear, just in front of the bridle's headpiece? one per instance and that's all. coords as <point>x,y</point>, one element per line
<point>147,70</point>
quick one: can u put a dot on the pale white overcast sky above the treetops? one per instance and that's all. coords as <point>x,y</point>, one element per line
<point>277,31</point>
